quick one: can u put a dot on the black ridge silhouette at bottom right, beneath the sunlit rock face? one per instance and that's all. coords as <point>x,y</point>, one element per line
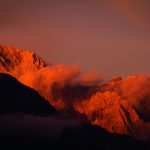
<point>94,137</point>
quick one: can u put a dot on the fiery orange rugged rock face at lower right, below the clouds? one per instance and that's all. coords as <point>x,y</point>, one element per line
<point>109,111</point>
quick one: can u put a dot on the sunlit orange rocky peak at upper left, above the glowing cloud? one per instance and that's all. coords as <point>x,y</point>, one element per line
<point>10,58</point>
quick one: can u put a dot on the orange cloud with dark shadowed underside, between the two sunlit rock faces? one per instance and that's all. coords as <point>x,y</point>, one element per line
<point>59,84</point>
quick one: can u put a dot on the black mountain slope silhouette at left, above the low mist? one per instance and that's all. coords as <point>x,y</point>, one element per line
<point>18,98</point>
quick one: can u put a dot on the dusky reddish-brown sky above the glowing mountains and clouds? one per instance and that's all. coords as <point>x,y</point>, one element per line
<point>110,36</point>
